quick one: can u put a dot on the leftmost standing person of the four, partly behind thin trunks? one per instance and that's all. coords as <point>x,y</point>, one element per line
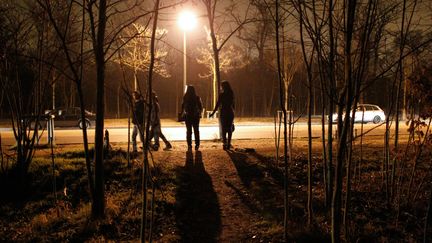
<point>137,119</point>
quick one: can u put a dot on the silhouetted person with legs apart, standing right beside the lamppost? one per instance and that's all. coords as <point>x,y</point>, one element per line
<point>192,108</point>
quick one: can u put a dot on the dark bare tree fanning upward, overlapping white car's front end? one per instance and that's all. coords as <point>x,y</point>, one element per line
<point>342,89</point>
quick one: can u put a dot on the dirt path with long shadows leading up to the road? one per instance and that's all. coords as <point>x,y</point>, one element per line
<point>219,182</point>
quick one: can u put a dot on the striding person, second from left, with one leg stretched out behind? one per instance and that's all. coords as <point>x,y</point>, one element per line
<point>155,129</point>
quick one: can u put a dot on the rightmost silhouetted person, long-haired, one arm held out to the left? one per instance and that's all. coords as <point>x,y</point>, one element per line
<point>226,104</point>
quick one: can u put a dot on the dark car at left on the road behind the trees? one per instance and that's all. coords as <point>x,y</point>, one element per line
<point>71,117</point>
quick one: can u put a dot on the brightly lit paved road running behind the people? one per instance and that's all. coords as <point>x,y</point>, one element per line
<point>208,132</point>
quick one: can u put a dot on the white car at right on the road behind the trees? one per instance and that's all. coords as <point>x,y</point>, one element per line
<point>366,113</point>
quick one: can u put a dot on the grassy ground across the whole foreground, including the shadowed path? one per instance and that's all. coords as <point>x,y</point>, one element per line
<point>207,196</point>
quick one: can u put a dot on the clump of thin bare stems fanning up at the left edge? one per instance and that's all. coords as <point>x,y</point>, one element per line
<point>22,71</point>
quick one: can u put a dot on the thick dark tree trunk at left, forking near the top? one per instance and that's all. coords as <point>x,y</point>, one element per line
<point>103,38</point>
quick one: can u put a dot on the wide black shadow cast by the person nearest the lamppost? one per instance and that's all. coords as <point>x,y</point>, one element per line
<point>197,208</point>
